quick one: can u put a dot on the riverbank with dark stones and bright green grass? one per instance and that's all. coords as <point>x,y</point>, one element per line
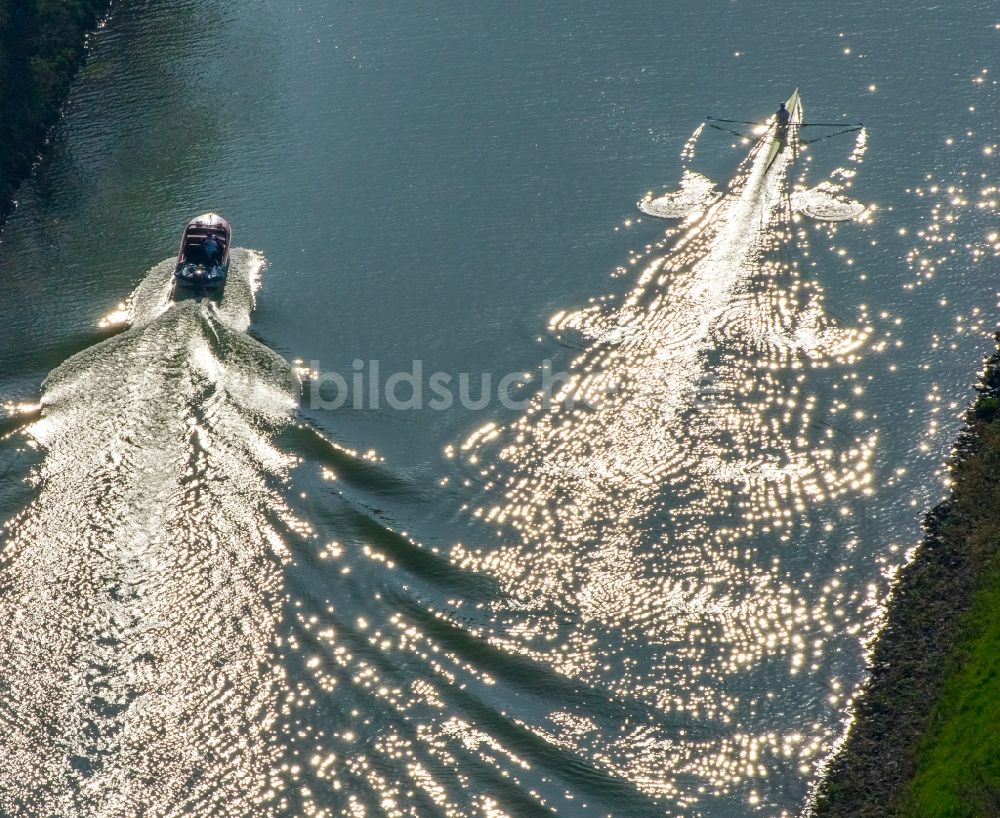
<point>926,740</point>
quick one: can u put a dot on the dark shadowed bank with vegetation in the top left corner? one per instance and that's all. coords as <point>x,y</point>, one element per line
<point>41,47</point>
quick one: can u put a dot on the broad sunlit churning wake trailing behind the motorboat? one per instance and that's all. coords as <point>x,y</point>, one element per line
<point>136,590</point>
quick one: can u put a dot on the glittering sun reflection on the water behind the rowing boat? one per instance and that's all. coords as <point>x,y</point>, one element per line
<point>650,523</point>
